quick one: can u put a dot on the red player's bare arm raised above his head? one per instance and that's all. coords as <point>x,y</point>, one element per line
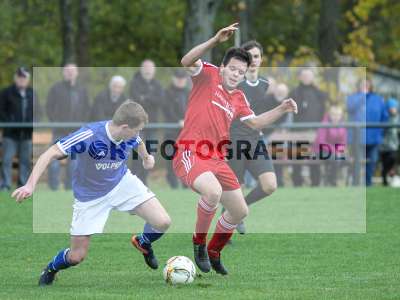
<point>192,58</point>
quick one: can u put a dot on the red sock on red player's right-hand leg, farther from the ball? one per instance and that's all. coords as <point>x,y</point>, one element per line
<point>222,234</point>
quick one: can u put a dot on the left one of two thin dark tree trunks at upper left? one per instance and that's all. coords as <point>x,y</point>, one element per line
<point>67,31</point>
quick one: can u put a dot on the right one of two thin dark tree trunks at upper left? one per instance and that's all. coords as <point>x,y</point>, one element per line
<point>82,39</point>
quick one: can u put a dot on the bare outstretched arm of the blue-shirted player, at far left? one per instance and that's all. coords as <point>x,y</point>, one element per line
<point>44,160</point>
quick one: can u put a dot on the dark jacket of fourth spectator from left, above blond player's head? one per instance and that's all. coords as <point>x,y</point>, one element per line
<point>149,94</point>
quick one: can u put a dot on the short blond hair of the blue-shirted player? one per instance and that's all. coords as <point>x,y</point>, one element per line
<point>130,113</point>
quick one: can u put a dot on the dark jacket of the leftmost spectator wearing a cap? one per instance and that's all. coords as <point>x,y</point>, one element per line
<point>15,108</point>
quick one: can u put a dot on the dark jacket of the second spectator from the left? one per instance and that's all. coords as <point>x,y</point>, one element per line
<point>66,103</point>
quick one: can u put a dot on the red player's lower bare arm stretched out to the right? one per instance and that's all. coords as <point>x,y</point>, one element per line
<point>269,117</point>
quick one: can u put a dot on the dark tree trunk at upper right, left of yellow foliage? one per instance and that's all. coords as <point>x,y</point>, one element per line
<point>328,31</point>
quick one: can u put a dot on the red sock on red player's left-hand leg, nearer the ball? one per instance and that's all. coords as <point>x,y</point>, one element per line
<point>205,214</point>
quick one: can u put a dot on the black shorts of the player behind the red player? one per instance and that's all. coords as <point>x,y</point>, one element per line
<point>257,164</point>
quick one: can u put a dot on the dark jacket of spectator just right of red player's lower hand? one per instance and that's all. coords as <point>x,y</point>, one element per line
<point>311,103</point>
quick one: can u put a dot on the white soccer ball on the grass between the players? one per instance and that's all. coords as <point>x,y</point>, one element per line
<point>179,270</point>
